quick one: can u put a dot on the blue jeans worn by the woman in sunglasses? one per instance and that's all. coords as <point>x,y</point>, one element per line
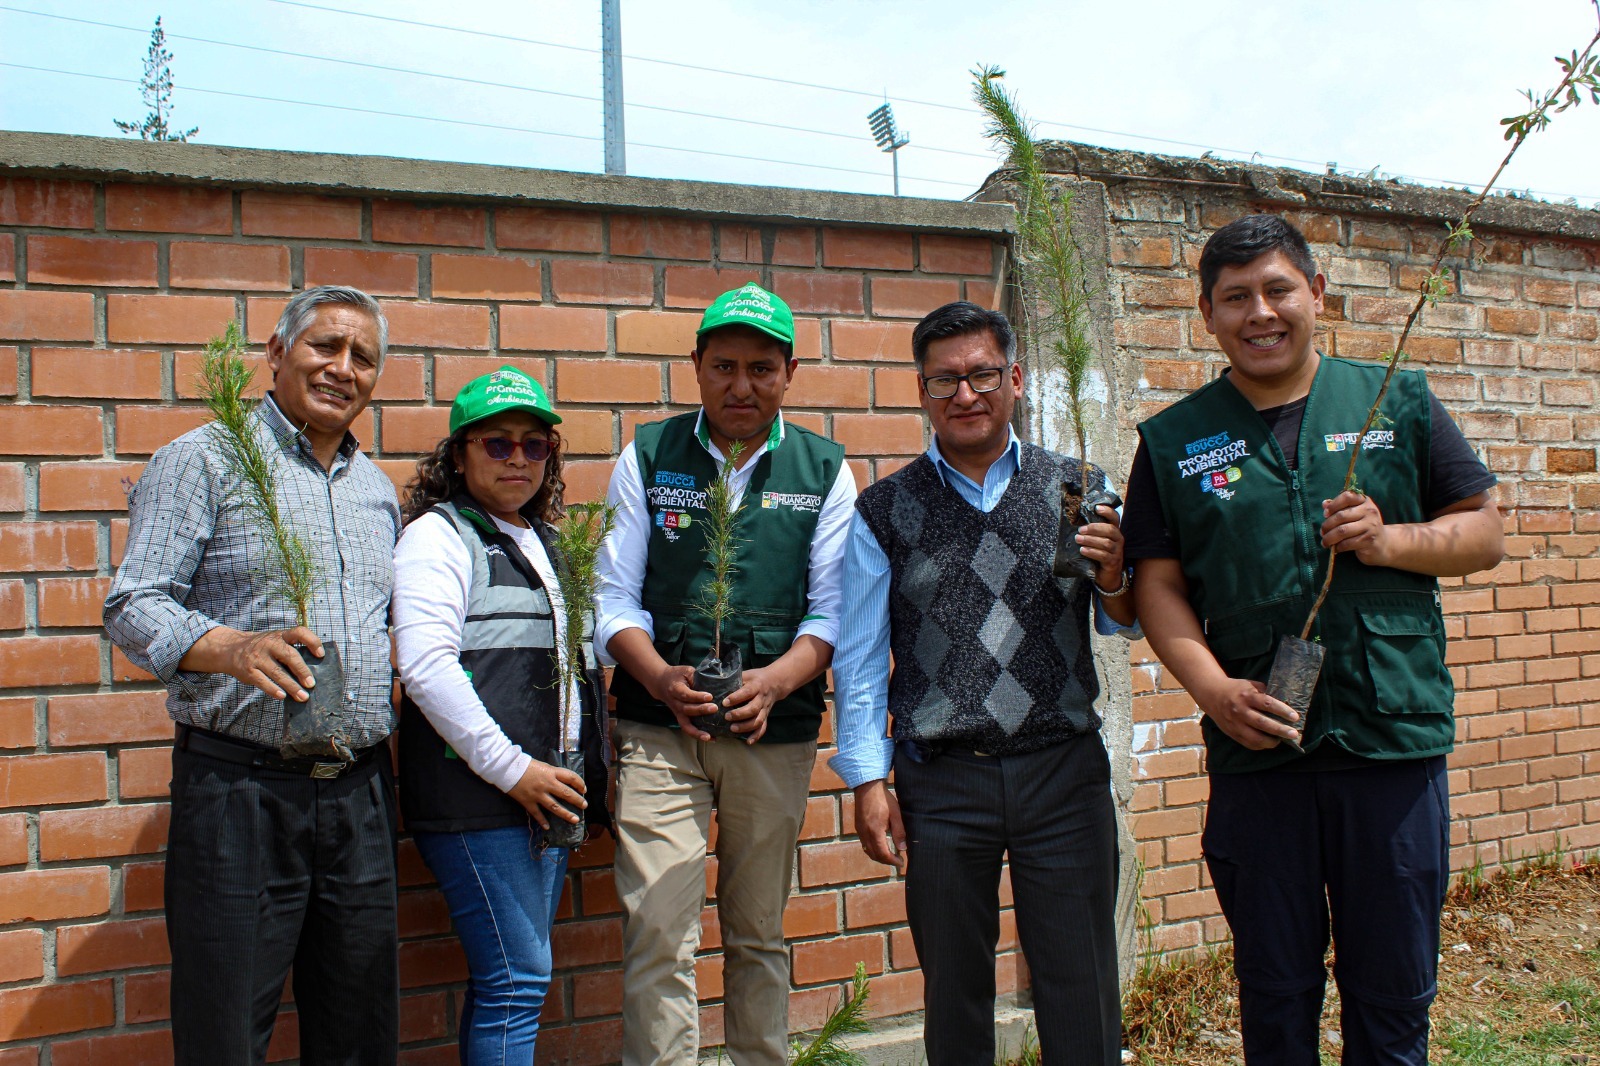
<point>503,892</point>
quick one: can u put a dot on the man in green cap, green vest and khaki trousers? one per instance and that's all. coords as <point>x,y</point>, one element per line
<point>796,500</point>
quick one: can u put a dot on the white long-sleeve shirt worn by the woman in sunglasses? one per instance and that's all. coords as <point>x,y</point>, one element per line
<point>430,607</point>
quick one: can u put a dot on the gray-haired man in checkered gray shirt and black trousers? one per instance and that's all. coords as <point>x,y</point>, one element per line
<point>276,862</point>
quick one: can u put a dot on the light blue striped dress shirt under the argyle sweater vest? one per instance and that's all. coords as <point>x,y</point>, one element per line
<point>862,662</point>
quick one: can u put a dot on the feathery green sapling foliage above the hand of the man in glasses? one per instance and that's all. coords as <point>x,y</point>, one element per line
<point>1049,258</point>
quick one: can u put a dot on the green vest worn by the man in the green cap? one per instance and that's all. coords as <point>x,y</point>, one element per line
<point>777,523</point>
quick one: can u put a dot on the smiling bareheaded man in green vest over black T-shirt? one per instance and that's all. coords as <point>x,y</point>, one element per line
<point>1234,505</point>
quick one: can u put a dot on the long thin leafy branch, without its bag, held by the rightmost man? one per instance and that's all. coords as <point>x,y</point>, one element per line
<point>1580,78</point>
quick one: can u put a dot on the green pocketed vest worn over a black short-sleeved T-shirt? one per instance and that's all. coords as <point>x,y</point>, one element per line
<point>1249,542</point>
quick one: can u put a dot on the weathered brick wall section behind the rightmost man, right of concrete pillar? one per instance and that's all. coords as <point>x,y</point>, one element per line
<point>1514,358</point>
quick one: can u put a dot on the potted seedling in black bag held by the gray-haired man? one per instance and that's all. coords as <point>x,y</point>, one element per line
<point>316,727</point>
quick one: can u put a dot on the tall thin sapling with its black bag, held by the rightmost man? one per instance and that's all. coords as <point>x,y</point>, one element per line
<point>1298,660</point>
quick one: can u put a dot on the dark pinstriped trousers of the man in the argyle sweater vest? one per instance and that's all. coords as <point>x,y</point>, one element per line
<point>1052,814</point>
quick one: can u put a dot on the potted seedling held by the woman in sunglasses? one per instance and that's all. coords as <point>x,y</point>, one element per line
<point>578,542</point>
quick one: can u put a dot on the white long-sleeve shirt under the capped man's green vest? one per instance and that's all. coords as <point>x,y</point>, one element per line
<point>626,551</point>
